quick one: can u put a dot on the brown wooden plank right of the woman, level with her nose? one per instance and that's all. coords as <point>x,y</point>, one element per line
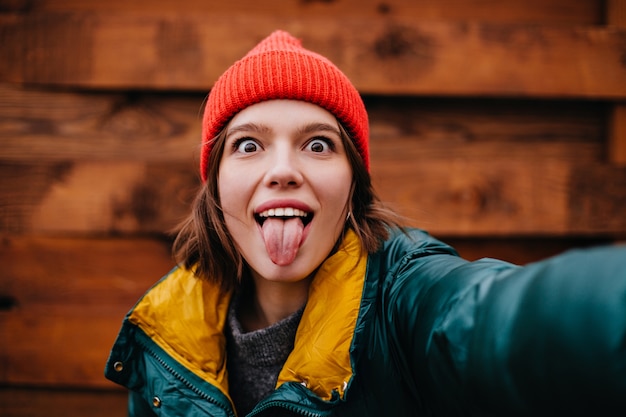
<point>507,197</point>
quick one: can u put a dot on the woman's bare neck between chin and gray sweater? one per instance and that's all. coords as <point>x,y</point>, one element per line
<point>270,302</point>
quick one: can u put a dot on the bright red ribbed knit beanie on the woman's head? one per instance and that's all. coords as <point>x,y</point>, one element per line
<point>280,68</point>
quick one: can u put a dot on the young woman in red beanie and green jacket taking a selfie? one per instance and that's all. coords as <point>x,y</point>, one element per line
<point>297,293</point>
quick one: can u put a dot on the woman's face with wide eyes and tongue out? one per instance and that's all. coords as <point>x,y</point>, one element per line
<point>284,183</point>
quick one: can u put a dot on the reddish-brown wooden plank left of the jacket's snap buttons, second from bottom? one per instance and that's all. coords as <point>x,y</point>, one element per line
<point>58,347</point>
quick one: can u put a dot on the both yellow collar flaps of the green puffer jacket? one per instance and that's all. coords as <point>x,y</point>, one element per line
<point>186,316</point>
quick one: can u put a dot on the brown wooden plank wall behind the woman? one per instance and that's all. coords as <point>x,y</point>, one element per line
<point>499,126</point>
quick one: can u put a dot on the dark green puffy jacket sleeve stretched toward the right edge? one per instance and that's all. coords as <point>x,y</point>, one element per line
<point>545,339</point>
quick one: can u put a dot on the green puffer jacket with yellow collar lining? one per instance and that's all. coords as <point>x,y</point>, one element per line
<point>412,330</point>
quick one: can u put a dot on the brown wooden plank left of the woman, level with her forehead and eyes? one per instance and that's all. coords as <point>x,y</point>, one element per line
<point>45,125</point>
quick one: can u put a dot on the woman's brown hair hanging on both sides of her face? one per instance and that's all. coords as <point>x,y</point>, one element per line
<point>204,245</point>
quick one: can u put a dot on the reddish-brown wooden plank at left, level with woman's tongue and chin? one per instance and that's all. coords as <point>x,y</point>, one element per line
<point>76,273</point>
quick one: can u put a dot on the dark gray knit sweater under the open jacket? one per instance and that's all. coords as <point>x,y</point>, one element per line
<point>256,358</point>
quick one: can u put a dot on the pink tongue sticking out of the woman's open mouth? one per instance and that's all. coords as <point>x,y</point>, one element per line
<point>282,239</point>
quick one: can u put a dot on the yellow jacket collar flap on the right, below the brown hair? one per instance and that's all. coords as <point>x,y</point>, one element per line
<point>321,356</point>
